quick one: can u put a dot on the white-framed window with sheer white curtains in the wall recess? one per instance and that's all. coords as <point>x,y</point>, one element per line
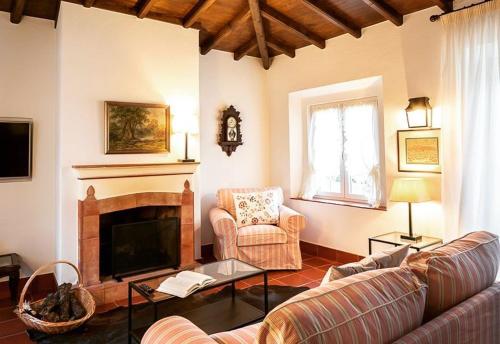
<point>344,151</point>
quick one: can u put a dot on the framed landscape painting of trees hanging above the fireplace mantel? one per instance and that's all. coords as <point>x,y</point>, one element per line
<point>135,128</point>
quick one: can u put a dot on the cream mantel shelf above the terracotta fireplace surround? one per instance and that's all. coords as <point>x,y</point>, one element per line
<point>113,171</point>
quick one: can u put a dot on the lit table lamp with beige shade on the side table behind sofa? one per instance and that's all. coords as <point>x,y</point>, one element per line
<point>410,190</point>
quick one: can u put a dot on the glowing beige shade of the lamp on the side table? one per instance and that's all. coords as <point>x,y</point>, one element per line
<point>412,190</point>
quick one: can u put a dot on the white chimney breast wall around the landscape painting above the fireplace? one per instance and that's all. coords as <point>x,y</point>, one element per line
<point>110,56</point>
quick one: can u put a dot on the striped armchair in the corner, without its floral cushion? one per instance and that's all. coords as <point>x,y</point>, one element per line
<point>271,247</point>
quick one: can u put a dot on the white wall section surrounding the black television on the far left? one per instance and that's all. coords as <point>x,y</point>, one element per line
<point>28,88</point>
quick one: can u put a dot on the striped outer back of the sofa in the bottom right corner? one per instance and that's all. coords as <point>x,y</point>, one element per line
<point>476,320</point>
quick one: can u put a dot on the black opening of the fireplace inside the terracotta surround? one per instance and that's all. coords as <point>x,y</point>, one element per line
<point>139,240</point>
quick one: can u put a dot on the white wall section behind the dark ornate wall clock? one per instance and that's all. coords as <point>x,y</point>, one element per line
<point>225,82</point>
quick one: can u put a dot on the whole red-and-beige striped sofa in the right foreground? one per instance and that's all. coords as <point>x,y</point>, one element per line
<point>447,295</point>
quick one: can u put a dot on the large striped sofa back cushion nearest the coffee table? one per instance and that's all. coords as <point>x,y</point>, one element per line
<point>377,306</point>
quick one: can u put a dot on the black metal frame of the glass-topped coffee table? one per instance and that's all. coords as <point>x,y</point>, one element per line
<point>133,285</point>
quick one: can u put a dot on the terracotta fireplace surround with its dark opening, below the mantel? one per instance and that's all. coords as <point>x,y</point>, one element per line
<point>167,217</point>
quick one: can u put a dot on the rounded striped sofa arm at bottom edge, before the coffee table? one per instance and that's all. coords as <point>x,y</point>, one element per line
<point>175,330</point>
